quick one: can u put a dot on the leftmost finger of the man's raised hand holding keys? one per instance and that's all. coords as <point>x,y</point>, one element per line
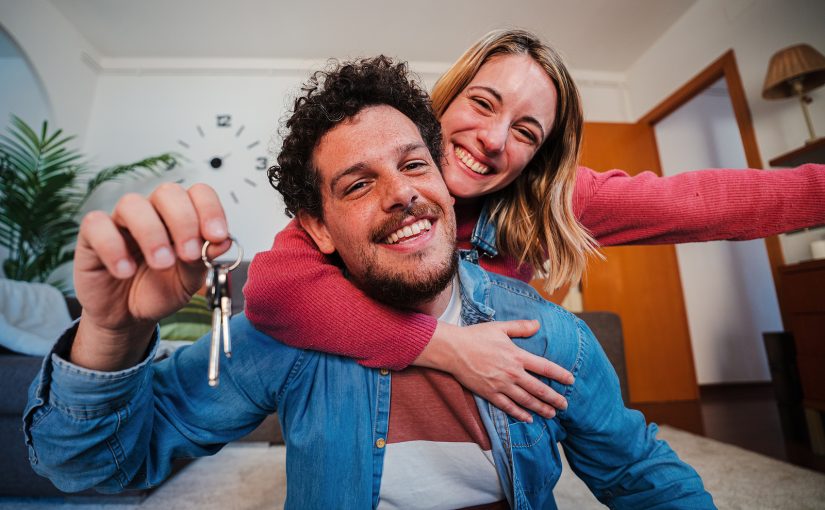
<point>100,234</point>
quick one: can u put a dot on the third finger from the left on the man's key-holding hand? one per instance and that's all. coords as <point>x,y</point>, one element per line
<point>178,214</point>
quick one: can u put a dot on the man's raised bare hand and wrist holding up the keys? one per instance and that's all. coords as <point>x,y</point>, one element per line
<point>138,265</point>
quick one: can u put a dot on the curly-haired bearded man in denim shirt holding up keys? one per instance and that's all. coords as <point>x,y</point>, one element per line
<point>358,169</point>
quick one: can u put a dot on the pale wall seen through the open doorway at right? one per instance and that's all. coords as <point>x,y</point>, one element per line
<point>728,287</point>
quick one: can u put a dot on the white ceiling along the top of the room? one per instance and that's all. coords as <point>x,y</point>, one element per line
<point>597,35</point>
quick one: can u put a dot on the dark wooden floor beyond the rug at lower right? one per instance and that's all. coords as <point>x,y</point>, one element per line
<point>745,415</point>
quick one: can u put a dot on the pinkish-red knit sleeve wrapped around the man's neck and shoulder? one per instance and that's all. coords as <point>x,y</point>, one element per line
<point>298,295</point>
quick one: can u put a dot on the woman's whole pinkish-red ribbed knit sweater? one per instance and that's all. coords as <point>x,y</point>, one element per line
<point>298,295</point>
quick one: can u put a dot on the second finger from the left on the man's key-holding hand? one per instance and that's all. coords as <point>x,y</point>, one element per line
<point>134,213</point>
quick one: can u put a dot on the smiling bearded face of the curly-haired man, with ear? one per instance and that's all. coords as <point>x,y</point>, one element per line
<point>386,209</point>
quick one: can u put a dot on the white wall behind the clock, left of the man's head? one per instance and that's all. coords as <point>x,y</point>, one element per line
<point>137,116</point>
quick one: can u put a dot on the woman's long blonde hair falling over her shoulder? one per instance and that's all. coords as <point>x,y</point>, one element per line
<point>534,214</point>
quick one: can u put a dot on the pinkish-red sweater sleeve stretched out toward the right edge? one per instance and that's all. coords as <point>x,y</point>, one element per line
<point>703,205</point>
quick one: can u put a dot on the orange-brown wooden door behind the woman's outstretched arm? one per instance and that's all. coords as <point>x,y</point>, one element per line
<point>640,283</point>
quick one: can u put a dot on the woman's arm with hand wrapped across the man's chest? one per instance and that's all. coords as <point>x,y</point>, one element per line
<point>300,296</point>
